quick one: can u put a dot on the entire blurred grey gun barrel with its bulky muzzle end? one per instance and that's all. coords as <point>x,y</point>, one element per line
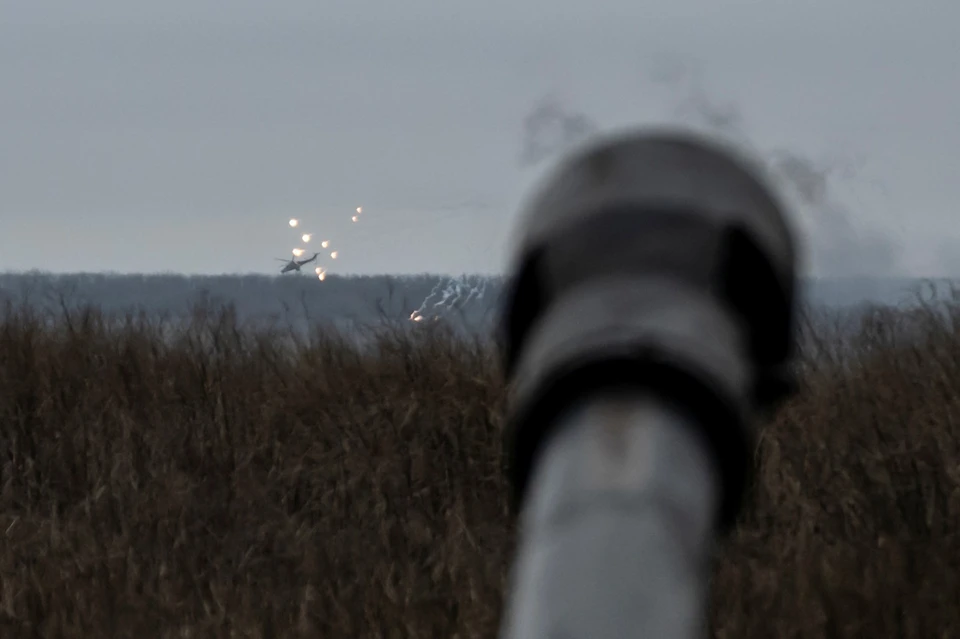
<point>648,323</point>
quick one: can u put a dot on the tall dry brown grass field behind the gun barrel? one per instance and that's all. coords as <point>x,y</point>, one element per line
<point>224,482</point>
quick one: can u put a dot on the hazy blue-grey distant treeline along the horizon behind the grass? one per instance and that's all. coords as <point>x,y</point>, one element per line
<point>364,299</point>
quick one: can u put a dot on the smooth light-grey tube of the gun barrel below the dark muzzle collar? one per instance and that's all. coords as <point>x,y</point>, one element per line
<point>618,525</point>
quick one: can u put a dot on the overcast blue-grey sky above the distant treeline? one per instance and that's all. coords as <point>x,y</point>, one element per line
<point>182,135</point>
